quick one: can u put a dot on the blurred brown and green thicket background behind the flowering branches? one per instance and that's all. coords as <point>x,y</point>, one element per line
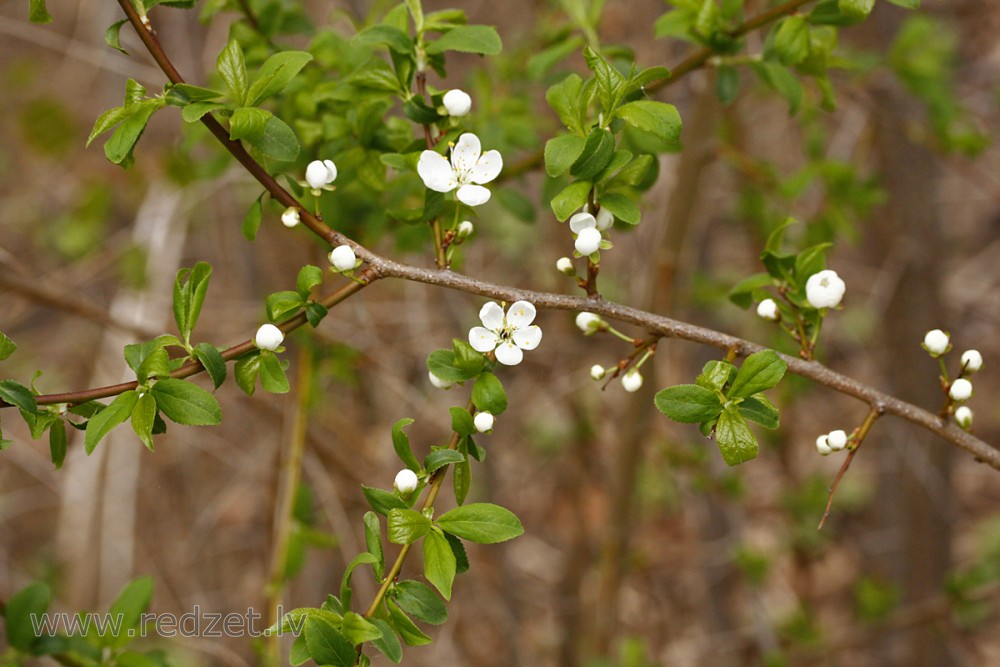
<point>641,546</point>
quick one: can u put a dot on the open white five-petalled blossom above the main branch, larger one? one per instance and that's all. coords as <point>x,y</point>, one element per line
<point>468,169</point>
